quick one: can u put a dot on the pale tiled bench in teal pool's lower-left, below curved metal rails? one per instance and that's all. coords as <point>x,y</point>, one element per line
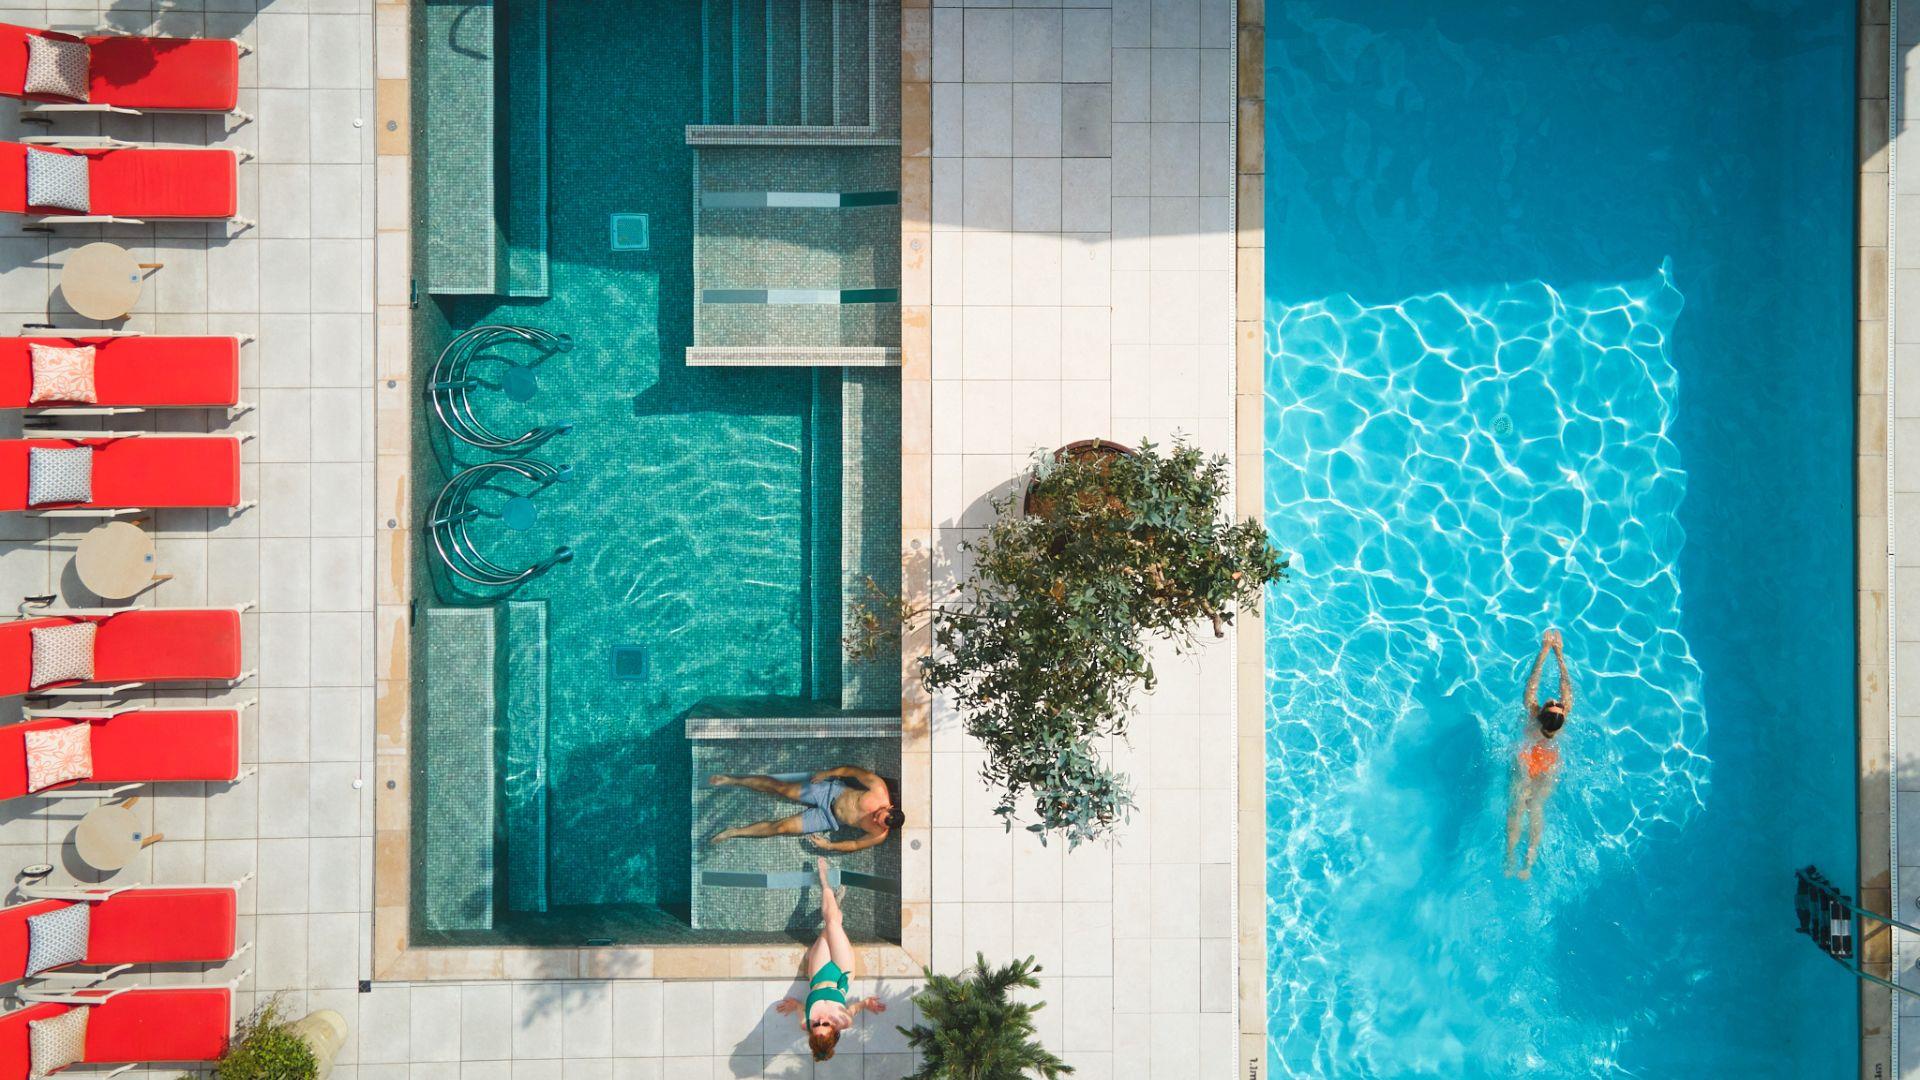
<point>454,772</point>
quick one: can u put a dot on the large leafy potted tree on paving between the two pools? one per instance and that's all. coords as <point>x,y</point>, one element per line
<point>1045,643</point>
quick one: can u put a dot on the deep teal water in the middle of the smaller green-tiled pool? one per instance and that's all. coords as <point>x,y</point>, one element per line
<point>704,506</point>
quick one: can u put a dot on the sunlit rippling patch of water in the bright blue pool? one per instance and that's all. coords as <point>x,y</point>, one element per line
<point>1429,554</point>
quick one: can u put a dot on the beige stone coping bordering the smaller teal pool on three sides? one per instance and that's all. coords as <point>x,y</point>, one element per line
<point>395,958</point>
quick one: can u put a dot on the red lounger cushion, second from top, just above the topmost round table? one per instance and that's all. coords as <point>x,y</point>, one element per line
<point>135,182</point>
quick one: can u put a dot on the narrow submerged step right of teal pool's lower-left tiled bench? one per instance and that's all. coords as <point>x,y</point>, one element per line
<point>523,626</point>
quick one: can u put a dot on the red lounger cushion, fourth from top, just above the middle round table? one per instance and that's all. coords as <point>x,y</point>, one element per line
<point>195,472</point>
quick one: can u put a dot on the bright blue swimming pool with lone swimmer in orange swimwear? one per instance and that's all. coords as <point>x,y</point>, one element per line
<point>1560,333</point>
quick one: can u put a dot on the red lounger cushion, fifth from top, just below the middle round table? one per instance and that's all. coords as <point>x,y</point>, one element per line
<point>139,647</point>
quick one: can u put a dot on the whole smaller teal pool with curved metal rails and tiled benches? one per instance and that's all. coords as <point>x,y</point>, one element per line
<point>715,520</point>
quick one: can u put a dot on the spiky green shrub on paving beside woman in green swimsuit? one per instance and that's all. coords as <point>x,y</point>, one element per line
<point>974,1031</point>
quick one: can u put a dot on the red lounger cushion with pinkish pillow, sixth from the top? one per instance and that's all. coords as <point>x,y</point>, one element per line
<point>149,747</point>
